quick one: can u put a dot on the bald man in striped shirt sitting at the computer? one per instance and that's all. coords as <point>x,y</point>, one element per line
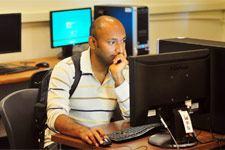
<point>103,84</point>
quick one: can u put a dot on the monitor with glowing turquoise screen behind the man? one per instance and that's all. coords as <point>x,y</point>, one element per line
<point>69,27</point>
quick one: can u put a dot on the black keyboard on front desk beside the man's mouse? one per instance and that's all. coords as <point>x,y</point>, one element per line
<point>133,132</point>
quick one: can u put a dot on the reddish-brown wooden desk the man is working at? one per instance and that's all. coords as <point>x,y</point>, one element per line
<point>118,125</point>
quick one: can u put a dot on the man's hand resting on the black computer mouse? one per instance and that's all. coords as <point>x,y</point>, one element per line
<point>92,136</point>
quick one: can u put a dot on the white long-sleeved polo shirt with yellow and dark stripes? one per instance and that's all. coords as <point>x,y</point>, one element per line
<point>92,103</point>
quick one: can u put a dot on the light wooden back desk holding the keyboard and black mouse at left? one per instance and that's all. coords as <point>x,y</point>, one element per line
<point>24,76</point>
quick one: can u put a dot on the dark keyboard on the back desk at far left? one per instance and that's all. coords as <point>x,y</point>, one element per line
<point>16,69</point>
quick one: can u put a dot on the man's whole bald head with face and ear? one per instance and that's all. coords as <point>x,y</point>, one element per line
<point>107,40</point>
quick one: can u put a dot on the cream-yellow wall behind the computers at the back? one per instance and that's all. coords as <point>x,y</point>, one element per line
<point>168,18</point>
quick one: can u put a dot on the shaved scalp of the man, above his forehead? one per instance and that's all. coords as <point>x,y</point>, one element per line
<point>103,22</point>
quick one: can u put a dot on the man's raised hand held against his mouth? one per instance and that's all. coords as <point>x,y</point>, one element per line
<point>116,68</point>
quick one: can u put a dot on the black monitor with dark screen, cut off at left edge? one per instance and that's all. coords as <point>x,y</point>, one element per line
<point>10,33</point>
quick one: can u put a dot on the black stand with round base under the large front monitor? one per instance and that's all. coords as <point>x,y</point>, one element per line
<point>164,139</point>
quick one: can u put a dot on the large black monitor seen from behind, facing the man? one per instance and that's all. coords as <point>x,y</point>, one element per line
<point>161,85</point>
